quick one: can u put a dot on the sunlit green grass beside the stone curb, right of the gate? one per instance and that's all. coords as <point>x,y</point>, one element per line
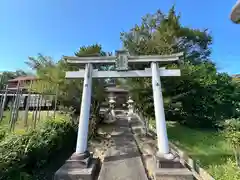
<point>208,148</point>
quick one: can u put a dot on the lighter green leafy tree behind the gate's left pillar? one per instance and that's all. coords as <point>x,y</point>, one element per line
<point>52,77</point>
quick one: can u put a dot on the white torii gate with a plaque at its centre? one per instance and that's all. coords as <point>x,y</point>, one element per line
<point>122,59</point>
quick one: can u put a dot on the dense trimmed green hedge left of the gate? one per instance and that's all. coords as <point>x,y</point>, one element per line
<point>33,154</point>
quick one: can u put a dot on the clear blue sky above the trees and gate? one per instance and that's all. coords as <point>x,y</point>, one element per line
<point>59,27</point>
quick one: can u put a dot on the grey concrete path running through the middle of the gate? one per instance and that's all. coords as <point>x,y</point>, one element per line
<point>122,160</point>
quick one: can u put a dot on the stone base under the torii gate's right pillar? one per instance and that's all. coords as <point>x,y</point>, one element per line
<point>171,169</point>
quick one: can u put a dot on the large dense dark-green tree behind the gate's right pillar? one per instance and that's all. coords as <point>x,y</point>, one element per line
<point>201,96</point>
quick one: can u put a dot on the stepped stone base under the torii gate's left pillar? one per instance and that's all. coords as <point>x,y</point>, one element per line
<point>78,167</point>
